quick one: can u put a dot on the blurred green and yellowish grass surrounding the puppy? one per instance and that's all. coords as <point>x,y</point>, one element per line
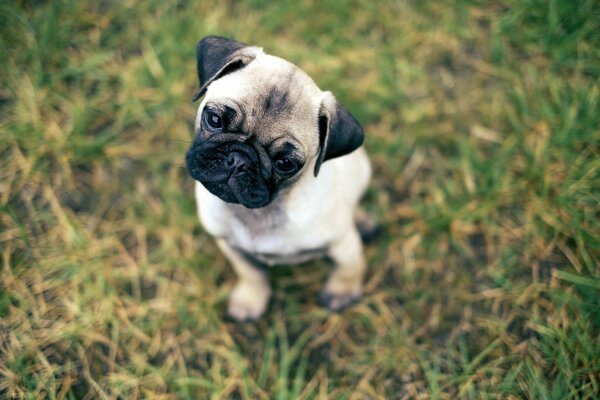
<point>483,128</point>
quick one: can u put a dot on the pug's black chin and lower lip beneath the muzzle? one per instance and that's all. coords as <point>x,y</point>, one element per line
<point>236,191</point>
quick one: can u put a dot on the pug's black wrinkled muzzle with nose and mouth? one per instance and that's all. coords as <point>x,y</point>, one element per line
<point>231,173</point>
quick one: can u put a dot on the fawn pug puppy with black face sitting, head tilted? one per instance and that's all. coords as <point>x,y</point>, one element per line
<point>280,171</point>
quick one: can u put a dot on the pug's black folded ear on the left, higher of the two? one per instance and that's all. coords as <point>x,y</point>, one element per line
<point>218,56</point>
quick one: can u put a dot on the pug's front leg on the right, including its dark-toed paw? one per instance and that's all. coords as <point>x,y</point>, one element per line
<point>344,285</point>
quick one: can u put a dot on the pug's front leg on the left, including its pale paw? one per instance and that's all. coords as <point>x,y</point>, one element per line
<point>250,295</point>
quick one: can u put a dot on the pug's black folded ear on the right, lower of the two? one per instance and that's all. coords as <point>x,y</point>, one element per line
<point>339,132</point>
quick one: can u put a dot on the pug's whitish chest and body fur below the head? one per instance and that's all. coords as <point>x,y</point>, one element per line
<point>314,213</point>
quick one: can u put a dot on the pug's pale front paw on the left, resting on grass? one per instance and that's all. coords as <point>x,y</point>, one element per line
<point>247,302</point>
